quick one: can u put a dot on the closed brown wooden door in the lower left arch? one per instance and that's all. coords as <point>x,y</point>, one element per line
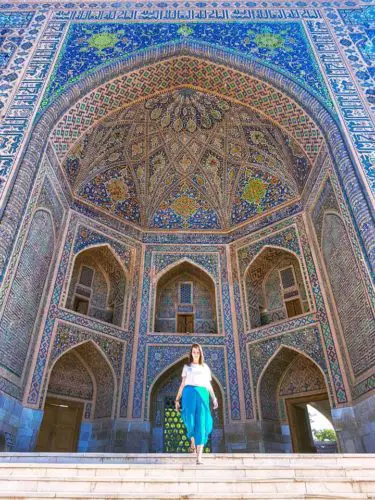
<point>60,426</point>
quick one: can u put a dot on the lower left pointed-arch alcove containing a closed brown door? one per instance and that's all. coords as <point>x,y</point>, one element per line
<point>81,388</point>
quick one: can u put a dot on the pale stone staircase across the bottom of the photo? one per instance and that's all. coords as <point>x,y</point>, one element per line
<point>162,476</point>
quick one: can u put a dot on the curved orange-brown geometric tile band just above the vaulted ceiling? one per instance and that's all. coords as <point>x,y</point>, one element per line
<point>189,71</point>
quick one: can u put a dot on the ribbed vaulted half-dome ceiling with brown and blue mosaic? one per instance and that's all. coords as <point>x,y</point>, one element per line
<point>186,160</point>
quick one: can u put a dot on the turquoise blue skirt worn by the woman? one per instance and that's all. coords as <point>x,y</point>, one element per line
<point>196,413</point>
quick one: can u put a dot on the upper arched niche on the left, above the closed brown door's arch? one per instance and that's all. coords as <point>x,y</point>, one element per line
<point>98,286</point>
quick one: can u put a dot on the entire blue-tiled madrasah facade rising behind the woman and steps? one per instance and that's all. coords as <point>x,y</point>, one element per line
<point>182,172</point>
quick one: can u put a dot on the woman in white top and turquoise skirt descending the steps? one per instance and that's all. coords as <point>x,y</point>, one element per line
<point>196,389</point>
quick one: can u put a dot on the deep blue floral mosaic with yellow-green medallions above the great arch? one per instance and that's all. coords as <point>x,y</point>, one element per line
<point>283,46</point>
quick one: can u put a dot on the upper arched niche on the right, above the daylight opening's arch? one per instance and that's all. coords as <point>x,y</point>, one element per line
<point>274,287</point>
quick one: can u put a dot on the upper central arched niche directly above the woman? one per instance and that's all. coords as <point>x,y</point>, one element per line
<point>185,301</point>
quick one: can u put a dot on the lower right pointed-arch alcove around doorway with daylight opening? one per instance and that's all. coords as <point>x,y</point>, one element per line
<point>289,383</point>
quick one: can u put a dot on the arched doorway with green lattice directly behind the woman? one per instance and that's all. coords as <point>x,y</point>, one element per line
<point>168,431</point>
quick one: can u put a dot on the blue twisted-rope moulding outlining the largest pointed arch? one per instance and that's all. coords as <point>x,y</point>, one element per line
<point>286,88</point>
